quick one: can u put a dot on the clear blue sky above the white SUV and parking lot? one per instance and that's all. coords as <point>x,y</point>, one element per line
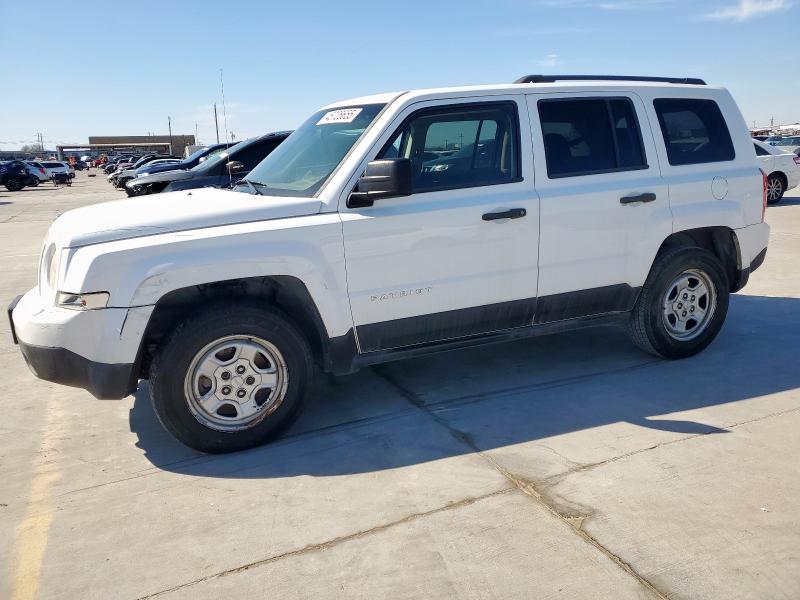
<point>121,68</point>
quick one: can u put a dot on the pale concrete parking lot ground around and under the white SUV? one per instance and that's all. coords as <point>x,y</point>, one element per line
<point>570,466</point>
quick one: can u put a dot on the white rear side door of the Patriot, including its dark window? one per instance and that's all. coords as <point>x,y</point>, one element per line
<point>604,205</point>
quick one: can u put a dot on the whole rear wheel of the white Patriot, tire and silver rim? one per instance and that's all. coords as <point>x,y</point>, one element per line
<point>682,305</point>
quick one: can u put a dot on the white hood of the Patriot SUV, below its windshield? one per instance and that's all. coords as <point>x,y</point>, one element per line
<point>167,213</point>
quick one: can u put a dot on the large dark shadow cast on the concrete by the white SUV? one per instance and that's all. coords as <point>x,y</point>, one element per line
<point>513,402</point>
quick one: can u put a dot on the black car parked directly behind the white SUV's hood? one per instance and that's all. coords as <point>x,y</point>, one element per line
<point>220,170</point>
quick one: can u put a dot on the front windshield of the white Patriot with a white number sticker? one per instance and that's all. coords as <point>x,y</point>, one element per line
<point>305,160</point>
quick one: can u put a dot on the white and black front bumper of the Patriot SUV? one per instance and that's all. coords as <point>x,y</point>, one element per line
<point>95,349</point>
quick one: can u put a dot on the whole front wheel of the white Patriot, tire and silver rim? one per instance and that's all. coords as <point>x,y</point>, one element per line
<point>231,378</point>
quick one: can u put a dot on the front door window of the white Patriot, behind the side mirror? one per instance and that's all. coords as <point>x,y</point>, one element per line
<point>459,146</point>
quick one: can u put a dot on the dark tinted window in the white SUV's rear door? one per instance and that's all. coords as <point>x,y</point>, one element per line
<point>585,136</point>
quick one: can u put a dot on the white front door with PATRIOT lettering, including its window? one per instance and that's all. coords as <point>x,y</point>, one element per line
<point>458,257</point>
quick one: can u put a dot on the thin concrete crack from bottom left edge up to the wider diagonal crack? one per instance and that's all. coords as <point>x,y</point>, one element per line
<point>333,542</point>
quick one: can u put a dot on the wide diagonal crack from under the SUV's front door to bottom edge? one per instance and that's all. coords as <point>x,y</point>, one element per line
<point>574,520</point>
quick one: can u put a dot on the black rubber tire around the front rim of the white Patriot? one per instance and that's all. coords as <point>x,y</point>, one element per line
<point>190,338</point>
